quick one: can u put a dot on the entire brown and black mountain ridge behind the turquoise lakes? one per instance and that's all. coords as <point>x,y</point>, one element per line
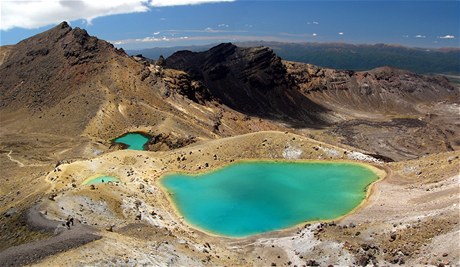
<point>221,88</point>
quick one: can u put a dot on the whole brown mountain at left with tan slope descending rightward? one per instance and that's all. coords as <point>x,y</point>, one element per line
<point>65,82</point>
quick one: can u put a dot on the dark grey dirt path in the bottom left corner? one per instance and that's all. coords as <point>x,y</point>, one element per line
<point>65,239</point>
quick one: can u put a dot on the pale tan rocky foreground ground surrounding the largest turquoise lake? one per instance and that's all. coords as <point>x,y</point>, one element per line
<point>411,216</point>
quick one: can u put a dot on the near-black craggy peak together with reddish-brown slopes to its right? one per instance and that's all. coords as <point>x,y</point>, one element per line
<point>254,81</point>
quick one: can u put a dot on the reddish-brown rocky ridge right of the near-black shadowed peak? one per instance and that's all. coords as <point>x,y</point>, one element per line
<point>386,90</point>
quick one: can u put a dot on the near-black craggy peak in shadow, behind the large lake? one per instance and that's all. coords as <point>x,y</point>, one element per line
<point>250,80</point>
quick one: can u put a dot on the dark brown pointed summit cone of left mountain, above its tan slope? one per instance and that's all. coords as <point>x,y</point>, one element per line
<point>43,69</point>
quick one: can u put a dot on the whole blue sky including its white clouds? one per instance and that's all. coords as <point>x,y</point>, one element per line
<point>137,24</point>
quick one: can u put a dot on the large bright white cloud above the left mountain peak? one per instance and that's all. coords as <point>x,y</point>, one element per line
<point>39,13</point>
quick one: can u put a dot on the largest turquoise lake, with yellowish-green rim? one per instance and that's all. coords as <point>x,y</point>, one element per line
<point>248,198</point>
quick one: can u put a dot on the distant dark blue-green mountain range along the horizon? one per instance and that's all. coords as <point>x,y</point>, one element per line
<point>345,56</point>
